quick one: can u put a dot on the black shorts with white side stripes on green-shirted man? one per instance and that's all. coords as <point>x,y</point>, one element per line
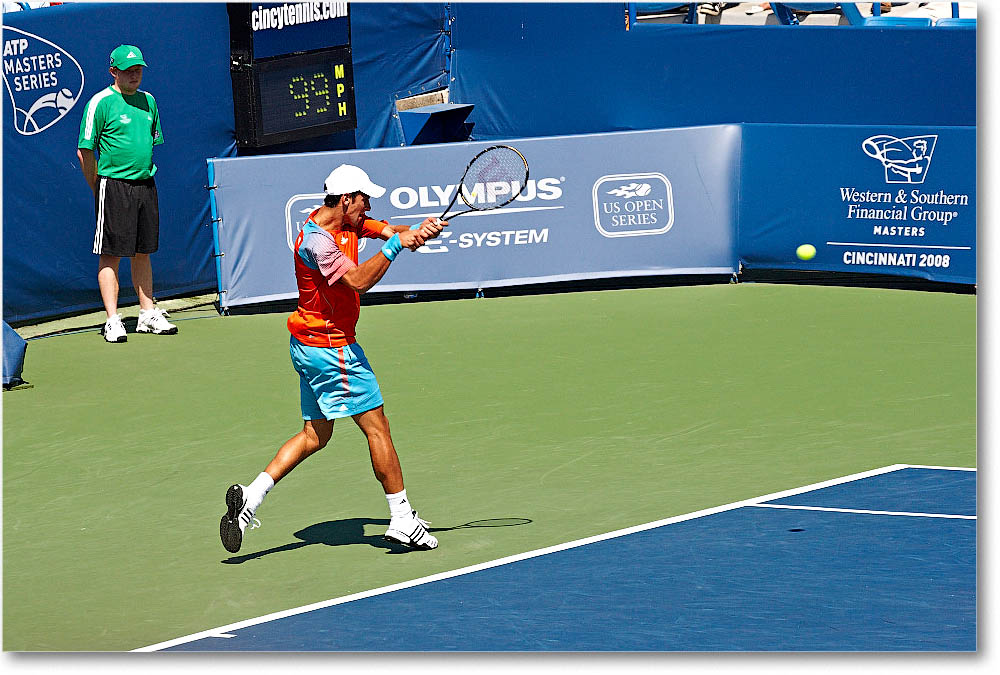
<point>128,217</point>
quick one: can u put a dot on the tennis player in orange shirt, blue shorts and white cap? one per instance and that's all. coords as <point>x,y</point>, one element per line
<point>335,378</point>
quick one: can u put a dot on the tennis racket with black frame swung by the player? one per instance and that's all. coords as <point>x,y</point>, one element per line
<point>494,178</point>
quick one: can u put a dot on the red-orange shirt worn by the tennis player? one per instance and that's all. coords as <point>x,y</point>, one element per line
<point>328,312</point>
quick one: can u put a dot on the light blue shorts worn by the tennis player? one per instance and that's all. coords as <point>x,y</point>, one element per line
<point>334,381</point>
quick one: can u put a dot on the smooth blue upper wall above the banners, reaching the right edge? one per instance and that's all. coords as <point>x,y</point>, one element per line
<point>546,69</point>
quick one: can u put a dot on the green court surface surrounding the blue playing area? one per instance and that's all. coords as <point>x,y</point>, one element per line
<point>532,421</point>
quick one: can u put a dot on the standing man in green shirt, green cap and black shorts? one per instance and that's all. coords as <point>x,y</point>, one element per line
<point>122,124</point>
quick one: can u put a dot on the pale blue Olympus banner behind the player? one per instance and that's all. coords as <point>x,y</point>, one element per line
<point>596,206</point>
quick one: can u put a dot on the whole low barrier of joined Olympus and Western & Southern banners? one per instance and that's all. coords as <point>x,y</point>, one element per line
<point>702,200</point>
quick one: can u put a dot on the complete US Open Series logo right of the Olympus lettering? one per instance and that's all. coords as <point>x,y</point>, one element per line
<point>633,205</point>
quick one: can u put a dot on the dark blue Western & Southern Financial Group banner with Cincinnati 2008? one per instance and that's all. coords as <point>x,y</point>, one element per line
<point>880,200</point>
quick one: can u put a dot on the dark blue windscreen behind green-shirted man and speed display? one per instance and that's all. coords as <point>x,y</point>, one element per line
<point>400,49</point>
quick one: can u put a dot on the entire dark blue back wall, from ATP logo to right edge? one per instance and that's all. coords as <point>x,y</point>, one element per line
<point>531,70</point>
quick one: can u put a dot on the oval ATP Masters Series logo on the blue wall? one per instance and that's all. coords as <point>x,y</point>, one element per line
<point>43,80</point>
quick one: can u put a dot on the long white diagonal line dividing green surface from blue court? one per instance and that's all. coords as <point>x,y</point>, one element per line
<point>516,558</point>
